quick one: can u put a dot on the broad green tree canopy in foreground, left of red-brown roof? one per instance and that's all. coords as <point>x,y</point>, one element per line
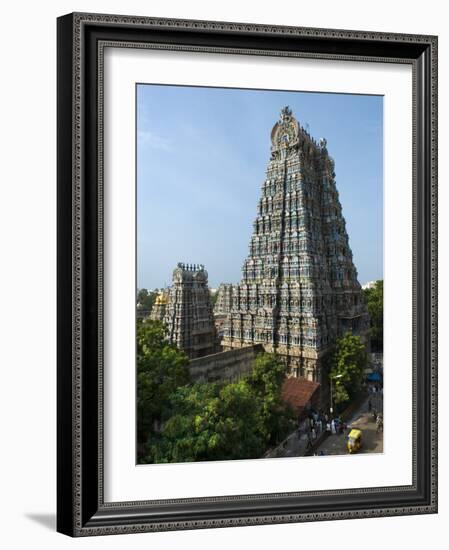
<point>222,421</point>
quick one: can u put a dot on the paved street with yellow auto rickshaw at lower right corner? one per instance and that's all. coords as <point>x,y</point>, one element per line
<point>363,420</point>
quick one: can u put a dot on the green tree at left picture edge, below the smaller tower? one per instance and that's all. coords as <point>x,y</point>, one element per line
<point>161,369</point>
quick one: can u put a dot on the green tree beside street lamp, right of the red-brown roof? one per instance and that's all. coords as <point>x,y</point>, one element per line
<point>347,367</point>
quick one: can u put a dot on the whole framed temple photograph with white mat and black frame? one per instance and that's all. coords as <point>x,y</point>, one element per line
<point>247,276</point>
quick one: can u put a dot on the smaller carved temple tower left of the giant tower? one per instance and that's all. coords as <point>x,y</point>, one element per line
<point>188,312</point>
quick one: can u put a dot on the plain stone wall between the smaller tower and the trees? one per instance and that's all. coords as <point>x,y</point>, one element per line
<point>226,366</point>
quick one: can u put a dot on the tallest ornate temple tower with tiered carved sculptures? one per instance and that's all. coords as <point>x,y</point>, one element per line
<point>299,289</point>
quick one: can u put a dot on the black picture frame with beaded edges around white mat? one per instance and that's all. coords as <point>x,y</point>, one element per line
<point>81,509</point>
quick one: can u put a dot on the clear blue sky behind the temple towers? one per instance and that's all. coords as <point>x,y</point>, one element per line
<point>201,160</point>
